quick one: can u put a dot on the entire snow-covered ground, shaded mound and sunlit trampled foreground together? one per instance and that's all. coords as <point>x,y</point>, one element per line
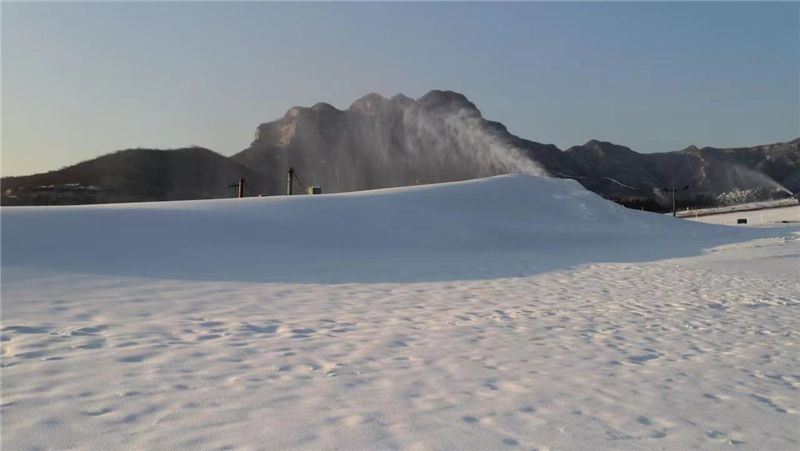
<point>499,313</point>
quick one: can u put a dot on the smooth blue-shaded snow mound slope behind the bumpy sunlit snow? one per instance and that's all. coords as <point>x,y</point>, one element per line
<point>499,226</point>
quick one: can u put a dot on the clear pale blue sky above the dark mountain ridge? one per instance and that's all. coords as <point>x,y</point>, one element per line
<point>80,80</point>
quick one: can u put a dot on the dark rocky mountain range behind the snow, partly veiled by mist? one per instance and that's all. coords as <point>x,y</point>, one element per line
<point>379,142</point>
